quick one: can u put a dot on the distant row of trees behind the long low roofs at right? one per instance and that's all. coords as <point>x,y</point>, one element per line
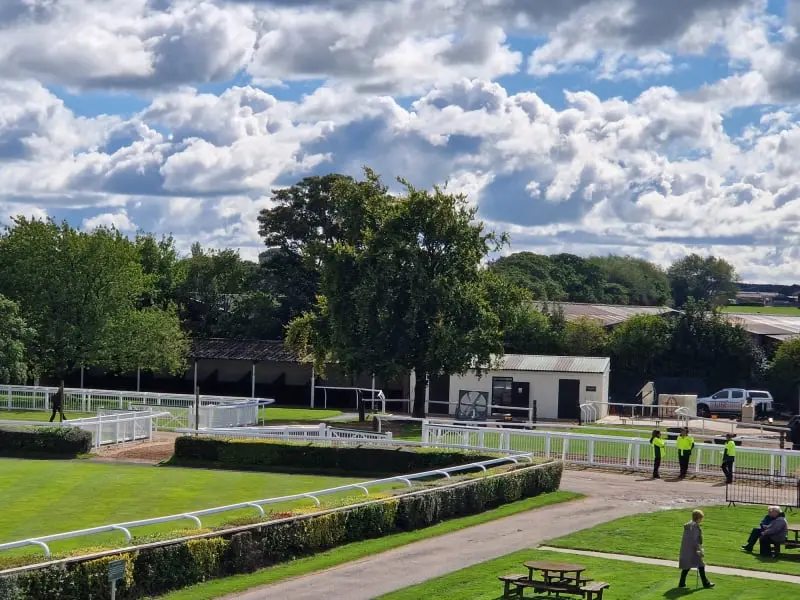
<point>620,279</point>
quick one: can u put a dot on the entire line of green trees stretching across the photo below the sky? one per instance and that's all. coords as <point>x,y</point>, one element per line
<point>353,273</point>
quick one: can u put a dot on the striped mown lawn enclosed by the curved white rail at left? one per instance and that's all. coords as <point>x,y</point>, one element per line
<point>41,497</point>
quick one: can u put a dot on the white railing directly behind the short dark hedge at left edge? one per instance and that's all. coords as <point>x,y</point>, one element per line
<point>110,428</point>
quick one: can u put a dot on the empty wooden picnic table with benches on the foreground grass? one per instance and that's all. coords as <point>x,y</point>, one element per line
<point>557,578</point>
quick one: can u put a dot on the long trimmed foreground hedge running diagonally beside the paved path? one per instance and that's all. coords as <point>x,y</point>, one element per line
<point>156,570</point>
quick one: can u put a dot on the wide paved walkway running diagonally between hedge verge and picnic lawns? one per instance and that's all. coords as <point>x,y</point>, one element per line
<point>612,496</point>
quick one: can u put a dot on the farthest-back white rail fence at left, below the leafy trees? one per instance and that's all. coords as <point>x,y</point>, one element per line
<point>177,409</point>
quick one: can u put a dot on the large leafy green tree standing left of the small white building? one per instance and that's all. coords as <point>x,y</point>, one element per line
<point>403,288</point>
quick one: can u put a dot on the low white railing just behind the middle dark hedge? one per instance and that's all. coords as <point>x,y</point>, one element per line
<point>321,433</point>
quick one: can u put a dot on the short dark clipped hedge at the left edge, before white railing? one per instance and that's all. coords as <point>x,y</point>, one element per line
<point>65,442</point>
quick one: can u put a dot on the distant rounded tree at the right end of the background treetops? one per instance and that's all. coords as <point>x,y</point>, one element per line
<point>706,279</point>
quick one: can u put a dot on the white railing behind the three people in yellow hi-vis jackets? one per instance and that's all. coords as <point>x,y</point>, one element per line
<point>628,453</point>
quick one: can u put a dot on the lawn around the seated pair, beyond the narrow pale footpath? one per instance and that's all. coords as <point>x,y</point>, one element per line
<point>658,535</point>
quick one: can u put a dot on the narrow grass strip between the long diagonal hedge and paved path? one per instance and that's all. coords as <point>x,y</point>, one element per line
<point>358,550</point>
